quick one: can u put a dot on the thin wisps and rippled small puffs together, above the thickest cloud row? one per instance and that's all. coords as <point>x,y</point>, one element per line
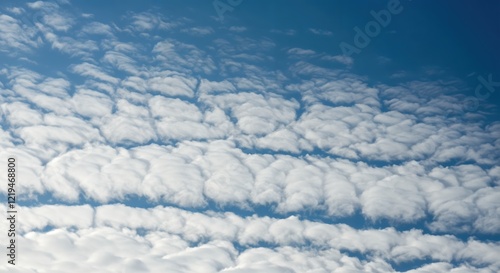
<point>299,109</point>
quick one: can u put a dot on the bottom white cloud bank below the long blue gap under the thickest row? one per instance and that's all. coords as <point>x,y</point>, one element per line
<point>117,237</point>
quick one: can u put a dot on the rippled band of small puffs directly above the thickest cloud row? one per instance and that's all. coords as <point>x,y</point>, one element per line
<point>341,117</point>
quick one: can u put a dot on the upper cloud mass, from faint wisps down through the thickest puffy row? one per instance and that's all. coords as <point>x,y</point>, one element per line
<point>301,138</point>
